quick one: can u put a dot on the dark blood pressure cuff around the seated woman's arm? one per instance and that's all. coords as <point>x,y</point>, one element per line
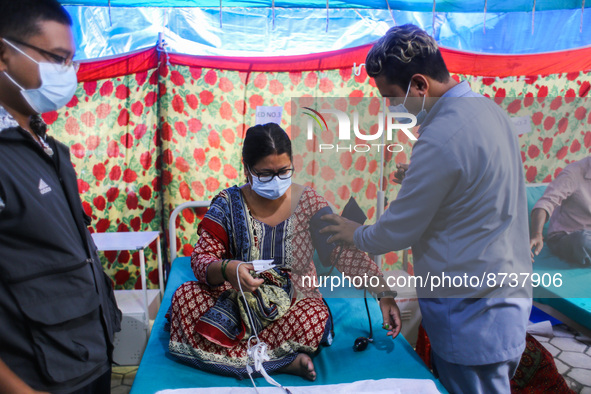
<point>352,211</point>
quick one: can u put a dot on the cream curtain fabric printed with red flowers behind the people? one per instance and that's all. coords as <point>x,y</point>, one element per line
<point>144,143</point>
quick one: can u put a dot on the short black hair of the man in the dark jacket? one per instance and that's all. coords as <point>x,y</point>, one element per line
<point>19,19</point>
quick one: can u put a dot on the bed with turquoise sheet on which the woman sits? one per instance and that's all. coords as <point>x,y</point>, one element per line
<point>382,361</point>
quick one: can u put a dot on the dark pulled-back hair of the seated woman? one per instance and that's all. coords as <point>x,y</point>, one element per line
<point>264,140</point>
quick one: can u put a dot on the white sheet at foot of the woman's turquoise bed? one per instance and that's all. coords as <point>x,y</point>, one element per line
<point>381,386</point>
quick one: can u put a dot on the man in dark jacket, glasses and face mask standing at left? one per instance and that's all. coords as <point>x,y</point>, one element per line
<point>57,310</point>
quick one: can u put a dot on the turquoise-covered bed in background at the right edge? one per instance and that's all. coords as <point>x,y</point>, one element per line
<point>565,287</point>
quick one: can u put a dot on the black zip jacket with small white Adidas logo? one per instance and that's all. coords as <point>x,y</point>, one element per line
<point>57,309</point>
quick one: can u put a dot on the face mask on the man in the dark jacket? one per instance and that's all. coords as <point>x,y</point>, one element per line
<point>58,85</point>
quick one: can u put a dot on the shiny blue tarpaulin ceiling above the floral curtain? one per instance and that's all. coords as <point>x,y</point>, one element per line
<point>255,28</point>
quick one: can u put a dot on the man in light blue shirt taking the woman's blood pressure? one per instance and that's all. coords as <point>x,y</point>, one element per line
<point>462,208</point>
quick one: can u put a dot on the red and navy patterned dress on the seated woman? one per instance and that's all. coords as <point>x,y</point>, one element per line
<point>229,231</point>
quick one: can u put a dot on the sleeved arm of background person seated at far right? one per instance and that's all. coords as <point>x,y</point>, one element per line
<point>557,191</point>
